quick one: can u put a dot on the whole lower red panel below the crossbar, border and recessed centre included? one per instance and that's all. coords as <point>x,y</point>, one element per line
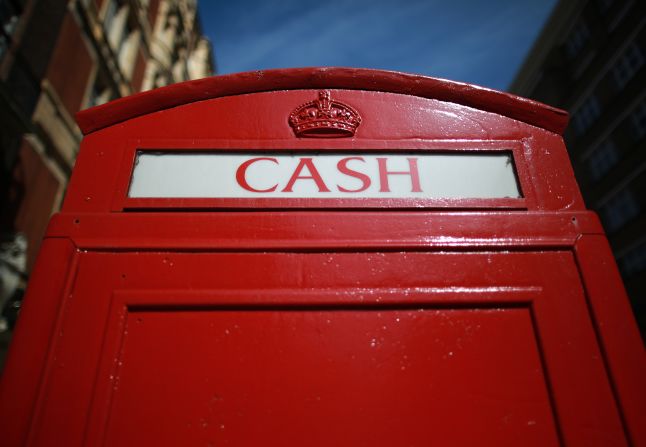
<point>374,349</point>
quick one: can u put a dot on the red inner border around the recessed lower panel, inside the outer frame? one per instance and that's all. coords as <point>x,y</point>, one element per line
<point>584,409</point>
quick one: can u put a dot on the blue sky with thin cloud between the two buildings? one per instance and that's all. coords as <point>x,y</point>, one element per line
<point>477,41</point>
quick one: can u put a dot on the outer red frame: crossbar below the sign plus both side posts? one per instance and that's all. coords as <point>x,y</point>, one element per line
<point>416,231</point>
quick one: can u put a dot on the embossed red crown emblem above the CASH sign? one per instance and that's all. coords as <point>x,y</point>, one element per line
<point>324,117</point>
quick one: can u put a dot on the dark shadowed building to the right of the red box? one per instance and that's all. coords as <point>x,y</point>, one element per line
<point>590,60</point>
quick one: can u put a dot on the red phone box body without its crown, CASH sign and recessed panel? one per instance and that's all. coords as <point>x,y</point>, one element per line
<point>47,389</point>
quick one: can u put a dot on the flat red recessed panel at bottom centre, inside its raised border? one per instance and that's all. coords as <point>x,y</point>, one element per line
<point>370,377</point>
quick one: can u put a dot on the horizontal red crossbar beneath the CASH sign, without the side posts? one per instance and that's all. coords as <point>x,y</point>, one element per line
<point>332,231</point>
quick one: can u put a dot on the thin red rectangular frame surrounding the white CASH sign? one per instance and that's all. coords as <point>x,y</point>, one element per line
<point>122,202</point>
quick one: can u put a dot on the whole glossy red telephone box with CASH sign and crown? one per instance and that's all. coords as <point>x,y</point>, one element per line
<point>324,257</point>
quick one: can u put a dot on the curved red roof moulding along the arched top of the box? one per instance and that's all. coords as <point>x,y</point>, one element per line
<point>518,108</point>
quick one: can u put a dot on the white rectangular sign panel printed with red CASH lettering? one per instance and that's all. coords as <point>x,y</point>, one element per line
<point>329,175</point>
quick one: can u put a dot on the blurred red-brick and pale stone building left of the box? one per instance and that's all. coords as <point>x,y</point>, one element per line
<point>56,58</point>
